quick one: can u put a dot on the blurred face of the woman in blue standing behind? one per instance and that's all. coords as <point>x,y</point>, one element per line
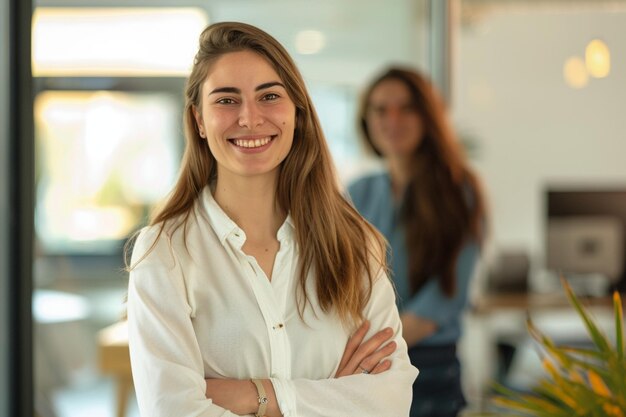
<point>394,125</point>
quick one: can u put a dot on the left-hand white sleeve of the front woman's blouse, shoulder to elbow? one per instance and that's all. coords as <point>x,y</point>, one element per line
<point>165,357</point>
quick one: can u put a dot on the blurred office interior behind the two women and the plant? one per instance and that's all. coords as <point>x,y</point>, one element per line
<point>536,90</point>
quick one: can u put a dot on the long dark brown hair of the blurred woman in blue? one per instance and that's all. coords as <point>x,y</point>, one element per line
<point>442,206</point>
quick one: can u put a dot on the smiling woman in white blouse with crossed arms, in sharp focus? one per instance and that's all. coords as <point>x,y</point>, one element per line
<point>252,291</point>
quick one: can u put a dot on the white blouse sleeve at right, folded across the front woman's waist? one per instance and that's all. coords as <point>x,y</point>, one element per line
<point>385,394</point>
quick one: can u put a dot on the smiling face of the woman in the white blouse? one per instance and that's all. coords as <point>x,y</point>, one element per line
<point>247,117</point>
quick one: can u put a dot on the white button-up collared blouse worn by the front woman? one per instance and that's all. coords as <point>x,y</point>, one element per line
<point>199,307</point>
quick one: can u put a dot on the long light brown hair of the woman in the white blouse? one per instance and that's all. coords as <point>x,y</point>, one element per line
<point>334,241</point>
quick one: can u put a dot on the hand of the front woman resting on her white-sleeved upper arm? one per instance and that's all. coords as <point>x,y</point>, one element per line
<point>366,357</point>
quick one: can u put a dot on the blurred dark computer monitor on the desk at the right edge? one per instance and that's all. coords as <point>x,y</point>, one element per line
<point>585,231</point>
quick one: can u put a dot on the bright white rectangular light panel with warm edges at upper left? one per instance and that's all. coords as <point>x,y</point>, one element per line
<point>115,41</point>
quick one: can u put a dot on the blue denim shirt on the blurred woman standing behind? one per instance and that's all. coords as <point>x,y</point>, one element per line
<point>372,197</point>
